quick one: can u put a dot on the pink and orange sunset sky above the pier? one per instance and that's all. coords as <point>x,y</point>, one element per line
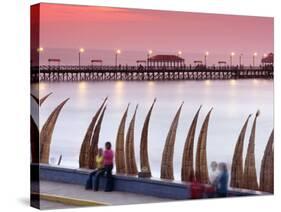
<point>101,30</point>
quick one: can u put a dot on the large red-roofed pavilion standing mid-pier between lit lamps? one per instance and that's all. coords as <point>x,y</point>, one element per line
<point>165,61</point>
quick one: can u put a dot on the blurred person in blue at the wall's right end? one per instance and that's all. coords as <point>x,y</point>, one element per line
<point>222,181</point>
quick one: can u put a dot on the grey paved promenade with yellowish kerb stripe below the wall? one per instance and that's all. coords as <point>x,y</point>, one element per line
<point>62,195</point>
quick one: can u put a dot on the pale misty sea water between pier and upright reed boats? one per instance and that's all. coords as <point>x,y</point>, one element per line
<point>232,100</point>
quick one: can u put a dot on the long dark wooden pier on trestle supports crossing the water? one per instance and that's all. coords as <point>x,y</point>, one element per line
<point>140,73</point>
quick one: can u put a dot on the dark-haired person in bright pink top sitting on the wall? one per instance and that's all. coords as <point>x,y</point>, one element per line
<point>108,166</point>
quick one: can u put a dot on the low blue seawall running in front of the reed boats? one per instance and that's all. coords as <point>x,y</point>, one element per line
<point>147,186</point>
